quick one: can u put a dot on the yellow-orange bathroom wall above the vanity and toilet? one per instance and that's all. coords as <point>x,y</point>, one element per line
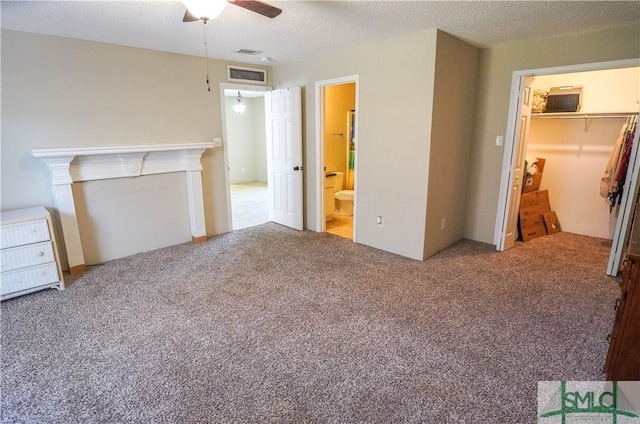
<point>338,100</point>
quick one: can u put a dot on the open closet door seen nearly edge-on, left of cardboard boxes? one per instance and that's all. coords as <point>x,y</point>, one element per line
<point>510,222</point>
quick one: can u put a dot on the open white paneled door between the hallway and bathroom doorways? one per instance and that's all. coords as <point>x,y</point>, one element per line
<point>284,153</point>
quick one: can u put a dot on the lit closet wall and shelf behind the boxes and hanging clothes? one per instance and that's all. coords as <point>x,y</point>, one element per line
<point>576,146</point>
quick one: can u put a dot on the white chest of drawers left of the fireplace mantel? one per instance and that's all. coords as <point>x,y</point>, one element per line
<point>29,258</point>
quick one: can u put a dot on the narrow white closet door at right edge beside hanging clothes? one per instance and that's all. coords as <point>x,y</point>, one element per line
<point>627,208</point>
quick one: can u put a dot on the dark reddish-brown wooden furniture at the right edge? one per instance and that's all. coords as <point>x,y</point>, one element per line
<point>623,358</point>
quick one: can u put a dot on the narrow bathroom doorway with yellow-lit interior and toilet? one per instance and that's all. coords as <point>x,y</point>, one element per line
<point>337,145</point>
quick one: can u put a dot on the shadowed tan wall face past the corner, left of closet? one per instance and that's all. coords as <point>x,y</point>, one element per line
<point>453,108</point>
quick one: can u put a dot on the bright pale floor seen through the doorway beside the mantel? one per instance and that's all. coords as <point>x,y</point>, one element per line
<point>249,205</point>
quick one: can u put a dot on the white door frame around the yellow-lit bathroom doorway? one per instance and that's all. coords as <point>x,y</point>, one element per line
<point>321,224</point>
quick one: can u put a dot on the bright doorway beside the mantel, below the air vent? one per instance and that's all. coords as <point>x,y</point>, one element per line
<point>245,154</point>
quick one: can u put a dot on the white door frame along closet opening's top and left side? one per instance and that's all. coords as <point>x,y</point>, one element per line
<point>506,180</point>
